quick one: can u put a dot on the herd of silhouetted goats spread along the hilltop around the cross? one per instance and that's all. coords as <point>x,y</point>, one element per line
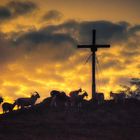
<point>75,99</point>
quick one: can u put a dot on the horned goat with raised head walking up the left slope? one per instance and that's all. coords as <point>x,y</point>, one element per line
<point>26,102</point>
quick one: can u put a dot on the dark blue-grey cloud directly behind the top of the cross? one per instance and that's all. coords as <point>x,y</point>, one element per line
<point>106,31</point>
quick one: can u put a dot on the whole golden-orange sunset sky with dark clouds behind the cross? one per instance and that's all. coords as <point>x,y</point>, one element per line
<point>38,45</point>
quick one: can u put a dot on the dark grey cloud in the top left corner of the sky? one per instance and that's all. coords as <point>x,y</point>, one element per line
<point>14,9</point>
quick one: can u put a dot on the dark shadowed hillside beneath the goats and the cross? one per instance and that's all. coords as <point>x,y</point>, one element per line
<point>105,122</point>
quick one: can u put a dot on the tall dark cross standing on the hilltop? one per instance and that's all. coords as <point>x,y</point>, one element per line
<point>94,47</point>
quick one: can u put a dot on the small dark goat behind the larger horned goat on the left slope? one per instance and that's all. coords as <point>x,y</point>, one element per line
<point>7,107</point>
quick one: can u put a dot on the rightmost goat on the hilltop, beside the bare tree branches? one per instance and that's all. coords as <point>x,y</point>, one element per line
<point>118,96</point>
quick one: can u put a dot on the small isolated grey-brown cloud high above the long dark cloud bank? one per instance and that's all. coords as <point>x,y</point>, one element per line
<point>52,15</point>
